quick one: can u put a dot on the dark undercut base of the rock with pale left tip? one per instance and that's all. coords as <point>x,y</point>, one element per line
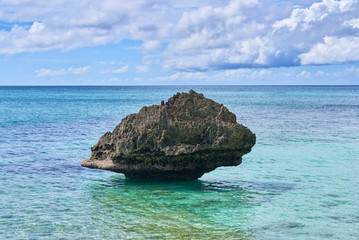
<point>162,167</point>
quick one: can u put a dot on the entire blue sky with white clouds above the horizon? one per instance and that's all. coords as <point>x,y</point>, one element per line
<point>175,42</point>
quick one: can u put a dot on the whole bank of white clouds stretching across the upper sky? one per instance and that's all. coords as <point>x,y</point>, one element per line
<point>191,35</point>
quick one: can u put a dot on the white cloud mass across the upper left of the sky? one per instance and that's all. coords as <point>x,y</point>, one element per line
<point>65,24</point>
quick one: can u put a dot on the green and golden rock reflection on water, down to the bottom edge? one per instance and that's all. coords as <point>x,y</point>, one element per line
<point>180,209</point>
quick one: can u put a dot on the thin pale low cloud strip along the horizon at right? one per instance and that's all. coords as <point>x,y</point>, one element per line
<point>327,75</point>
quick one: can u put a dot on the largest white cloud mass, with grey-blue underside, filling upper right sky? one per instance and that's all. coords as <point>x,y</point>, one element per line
<point>236,36</point>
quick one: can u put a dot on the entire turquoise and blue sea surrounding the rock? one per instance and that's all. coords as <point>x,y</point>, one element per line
<point>300,181</point>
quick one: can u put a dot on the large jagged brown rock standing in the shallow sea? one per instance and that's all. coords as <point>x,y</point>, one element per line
<point>181,139</point>
